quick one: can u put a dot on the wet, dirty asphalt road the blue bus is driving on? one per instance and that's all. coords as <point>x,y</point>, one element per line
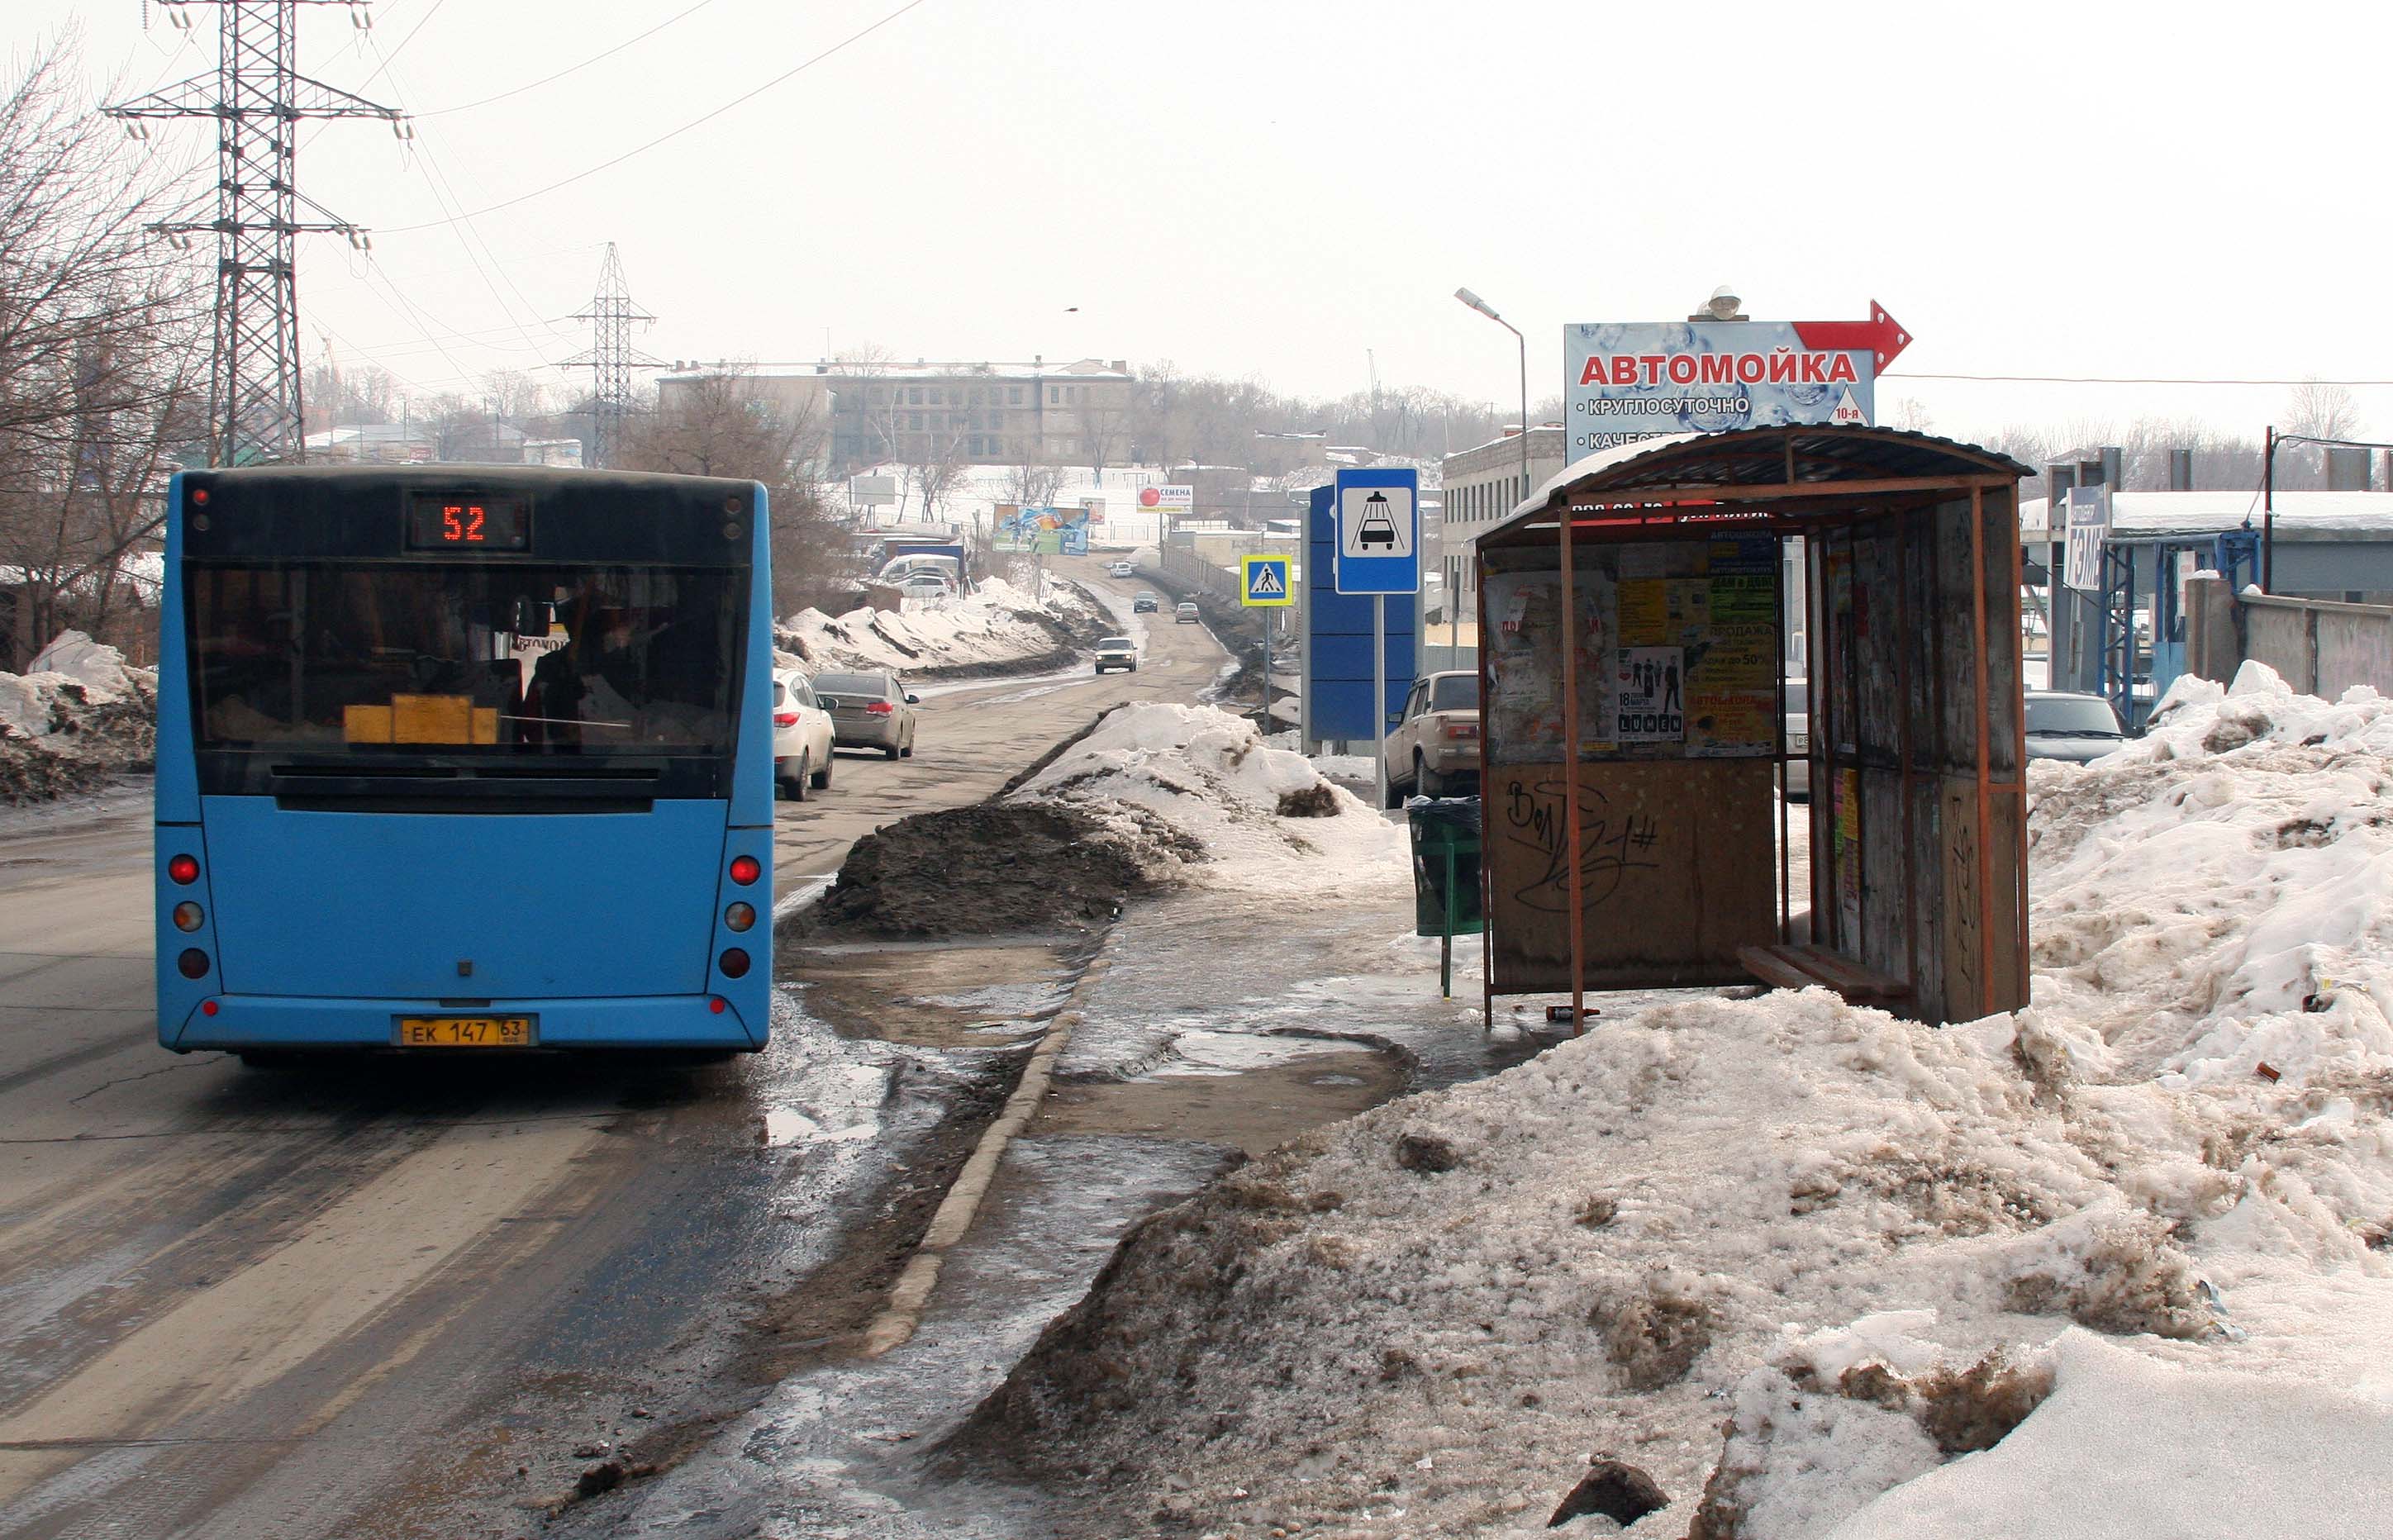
<point>408,1300</point>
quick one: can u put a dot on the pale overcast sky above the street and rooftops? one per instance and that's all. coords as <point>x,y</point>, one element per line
<point>1291,188</point>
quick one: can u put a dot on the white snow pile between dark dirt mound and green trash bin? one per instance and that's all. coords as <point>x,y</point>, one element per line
<point>1212,778</point>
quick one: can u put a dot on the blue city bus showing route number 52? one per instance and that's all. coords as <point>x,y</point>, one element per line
<point>465,759</point>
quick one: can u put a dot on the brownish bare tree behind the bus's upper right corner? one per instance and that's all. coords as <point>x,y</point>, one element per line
<point>726,427</point>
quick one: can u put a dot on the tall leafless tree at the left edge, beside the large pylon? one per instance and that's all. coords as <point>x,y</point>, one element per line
<point>102,355</point>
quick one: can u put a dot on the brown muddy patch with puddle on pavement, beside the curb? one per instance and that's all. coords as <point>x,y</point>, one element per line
<point>1231,1089</point>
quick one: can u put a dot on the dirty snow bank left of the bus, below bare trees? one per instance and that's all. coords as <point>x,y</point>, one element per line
<point>73,721</point>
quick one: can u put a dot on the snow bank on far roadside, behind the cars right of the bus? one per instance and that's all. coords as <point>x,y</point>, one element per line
<point>997,630</point>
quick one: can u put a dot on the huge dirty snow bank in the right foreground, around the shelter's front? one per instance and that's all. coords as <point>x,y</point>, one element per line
<point>1801,1271</point>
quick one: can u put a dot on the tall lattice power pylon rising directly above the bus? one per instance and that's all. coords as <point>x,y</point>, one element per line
<point>257,99</point>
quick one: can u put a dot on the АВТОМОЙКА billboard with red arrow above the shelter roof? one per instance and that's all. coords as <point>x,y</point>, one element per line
<point>1628,379</point>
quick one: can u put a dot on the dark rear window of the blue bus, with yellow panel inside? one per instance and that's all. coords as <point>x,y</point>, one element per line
<point>401,661</point>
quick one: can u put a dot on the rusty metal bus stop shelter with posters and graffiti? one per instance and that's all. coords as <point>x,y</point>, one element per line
<point>1636,609</point>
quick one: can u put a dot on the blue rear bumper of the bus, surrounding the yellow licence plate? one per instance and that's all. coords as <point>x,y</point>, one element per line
<point>597,1025</point>
